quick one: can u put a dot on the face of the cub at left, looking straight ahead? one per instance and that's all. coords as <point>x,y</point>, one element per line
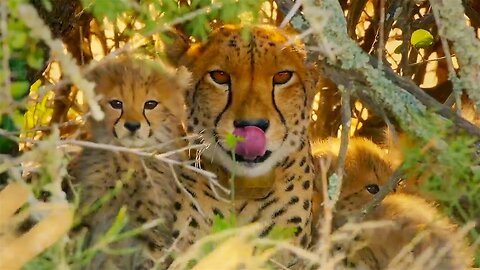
<point>143,106</point>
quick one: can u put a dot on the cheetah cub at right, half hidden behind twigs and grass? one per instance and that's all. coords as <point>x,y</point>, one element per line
<point>430,236</point>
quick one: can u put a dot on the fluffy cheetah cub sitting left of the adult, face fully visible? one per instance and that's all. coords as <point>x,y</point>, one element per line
<point>143,107</point>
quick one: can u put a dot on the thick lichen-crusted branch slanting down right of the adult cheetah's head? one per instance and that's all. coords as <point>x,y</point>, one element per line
<point>347,55</point>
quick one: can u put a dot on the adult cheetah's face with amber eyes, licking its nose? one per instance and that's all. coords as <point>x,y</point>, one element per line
<point>258,88</point>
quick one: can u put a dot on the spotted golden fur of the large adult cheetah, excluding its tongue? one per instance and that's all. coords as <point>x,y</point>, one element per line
<point>261,81</point>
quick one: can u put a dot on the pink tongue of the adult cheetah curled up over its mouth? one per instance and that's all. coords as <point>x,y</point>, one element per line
<point>254,143</point>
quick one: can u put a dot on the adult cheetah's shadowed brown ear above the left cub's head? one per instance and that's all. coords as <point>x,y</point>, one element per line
<point>176,44</point>
